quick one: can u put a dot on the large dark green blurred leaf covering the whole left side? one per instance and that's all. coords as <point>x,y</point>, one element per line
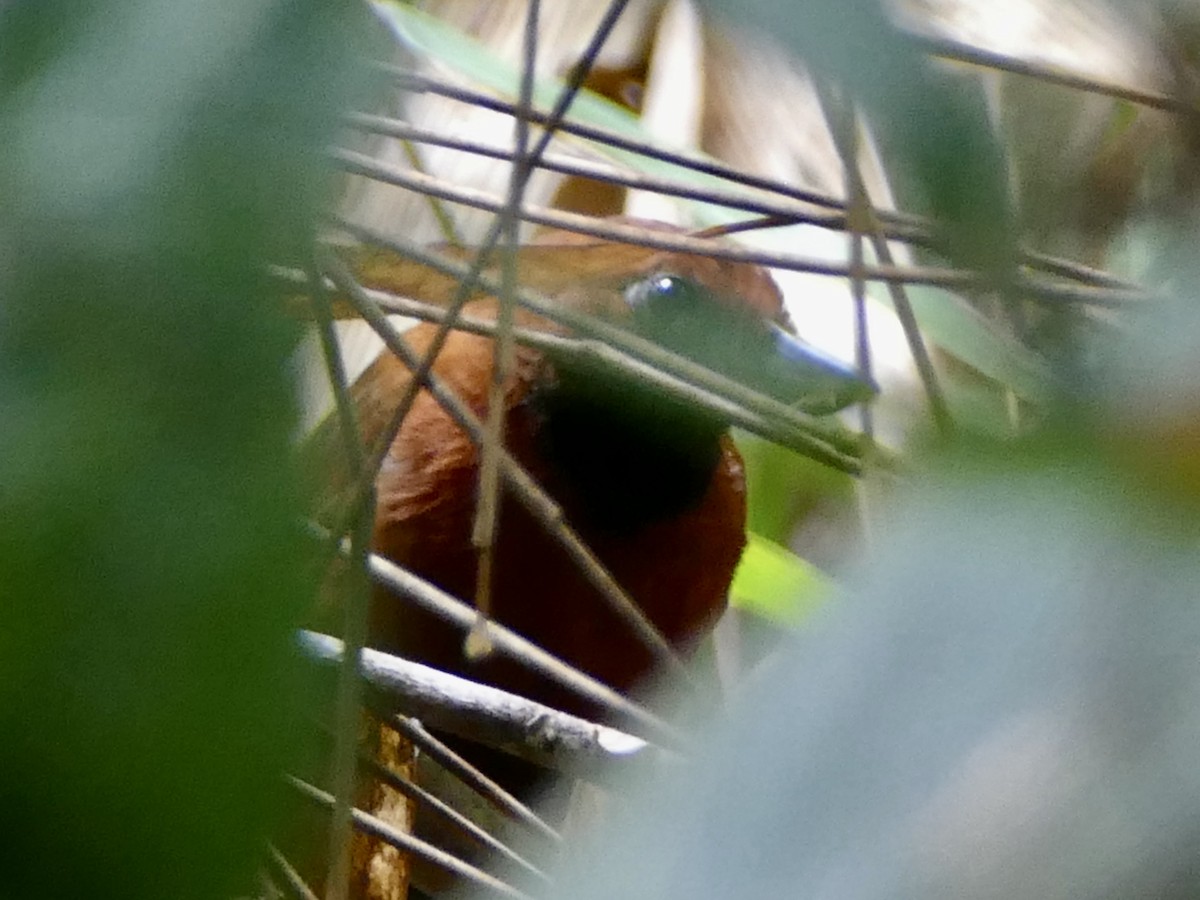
<point>155,155</point>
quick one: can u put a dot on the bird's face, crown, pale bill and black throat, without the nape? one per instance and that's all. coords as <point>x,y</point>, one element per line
<point>724,316</point>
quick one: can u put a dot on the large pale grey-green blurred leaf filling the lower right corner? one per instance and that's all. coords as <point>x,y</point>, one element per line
<point>1007,705</point>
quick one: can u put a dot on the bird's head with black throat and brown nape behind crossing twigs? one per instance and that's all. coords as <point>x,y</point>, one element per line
<point>637,449</point>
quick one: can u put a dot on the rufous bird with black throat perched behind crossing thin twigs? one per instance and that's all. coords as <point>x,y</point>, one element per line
<point>655,487</point>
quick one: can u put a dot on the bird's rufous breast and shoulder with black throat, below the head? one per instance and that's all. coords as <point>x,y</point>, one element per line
<point>663,511</point>
